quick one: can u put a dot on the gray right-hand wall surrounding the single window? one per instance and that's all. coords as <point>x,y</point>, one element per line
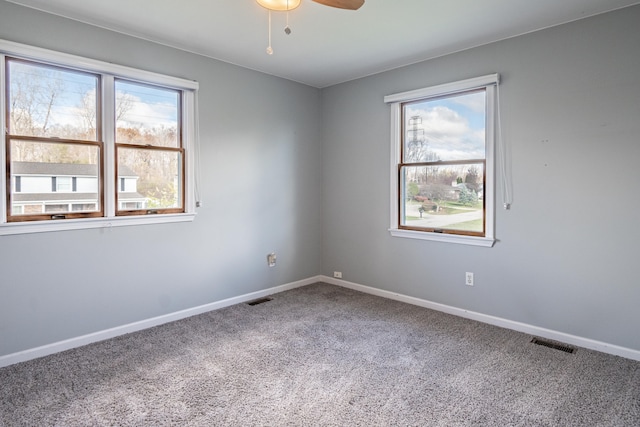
<point>567,251</point>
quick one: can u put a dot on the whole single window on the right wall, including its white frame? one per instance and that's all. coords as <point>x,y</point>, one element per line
<point>442,184</point>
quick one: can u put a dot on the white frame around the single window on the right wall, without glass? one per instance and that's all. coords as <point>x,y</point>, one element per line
<point>488,82</point>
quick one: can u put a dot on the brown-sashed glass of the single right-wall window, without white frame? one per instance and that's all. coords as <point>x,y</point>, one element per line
<point>443,162</point>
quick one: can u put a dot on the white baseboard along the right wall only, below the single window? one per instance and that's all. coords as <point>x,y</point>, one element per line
<point>492,320</point>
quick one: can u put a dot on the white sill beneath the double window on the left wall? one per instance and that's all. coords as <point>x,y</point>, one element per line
<point>82,224</point>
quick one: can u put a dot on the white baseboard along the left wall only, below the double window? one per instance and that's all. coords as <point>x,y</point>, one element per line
<point>48,349</point>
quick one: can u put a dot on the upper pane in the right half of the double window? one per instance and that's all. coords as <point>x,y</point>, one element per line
<point>147,115</point>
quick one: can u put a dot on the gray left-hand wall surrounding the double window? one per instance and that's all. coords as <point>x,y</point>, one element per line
<point>261,186</point>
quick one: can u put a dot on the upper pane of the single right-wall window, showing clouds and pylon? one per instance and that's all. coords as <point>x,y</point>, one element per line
<point>447,128</point>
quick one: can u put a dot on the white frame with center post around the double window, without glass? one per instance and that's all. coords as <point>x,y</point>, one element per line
<point>108,72</point>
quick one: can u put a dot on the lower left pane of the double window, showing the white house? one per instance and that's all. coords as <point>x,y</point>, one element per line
<point>38,165</point>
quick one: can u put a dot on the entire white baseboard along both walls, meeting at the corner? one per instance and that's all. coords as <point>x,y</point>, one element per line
<point>48,349</point>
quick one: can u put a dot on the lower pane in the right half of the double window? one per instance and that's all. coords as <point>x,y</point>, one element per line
<point>152,178</point>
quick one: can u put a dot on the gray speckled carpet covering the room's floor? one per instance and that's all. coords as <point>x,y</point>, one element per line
<point>322,356</point>
